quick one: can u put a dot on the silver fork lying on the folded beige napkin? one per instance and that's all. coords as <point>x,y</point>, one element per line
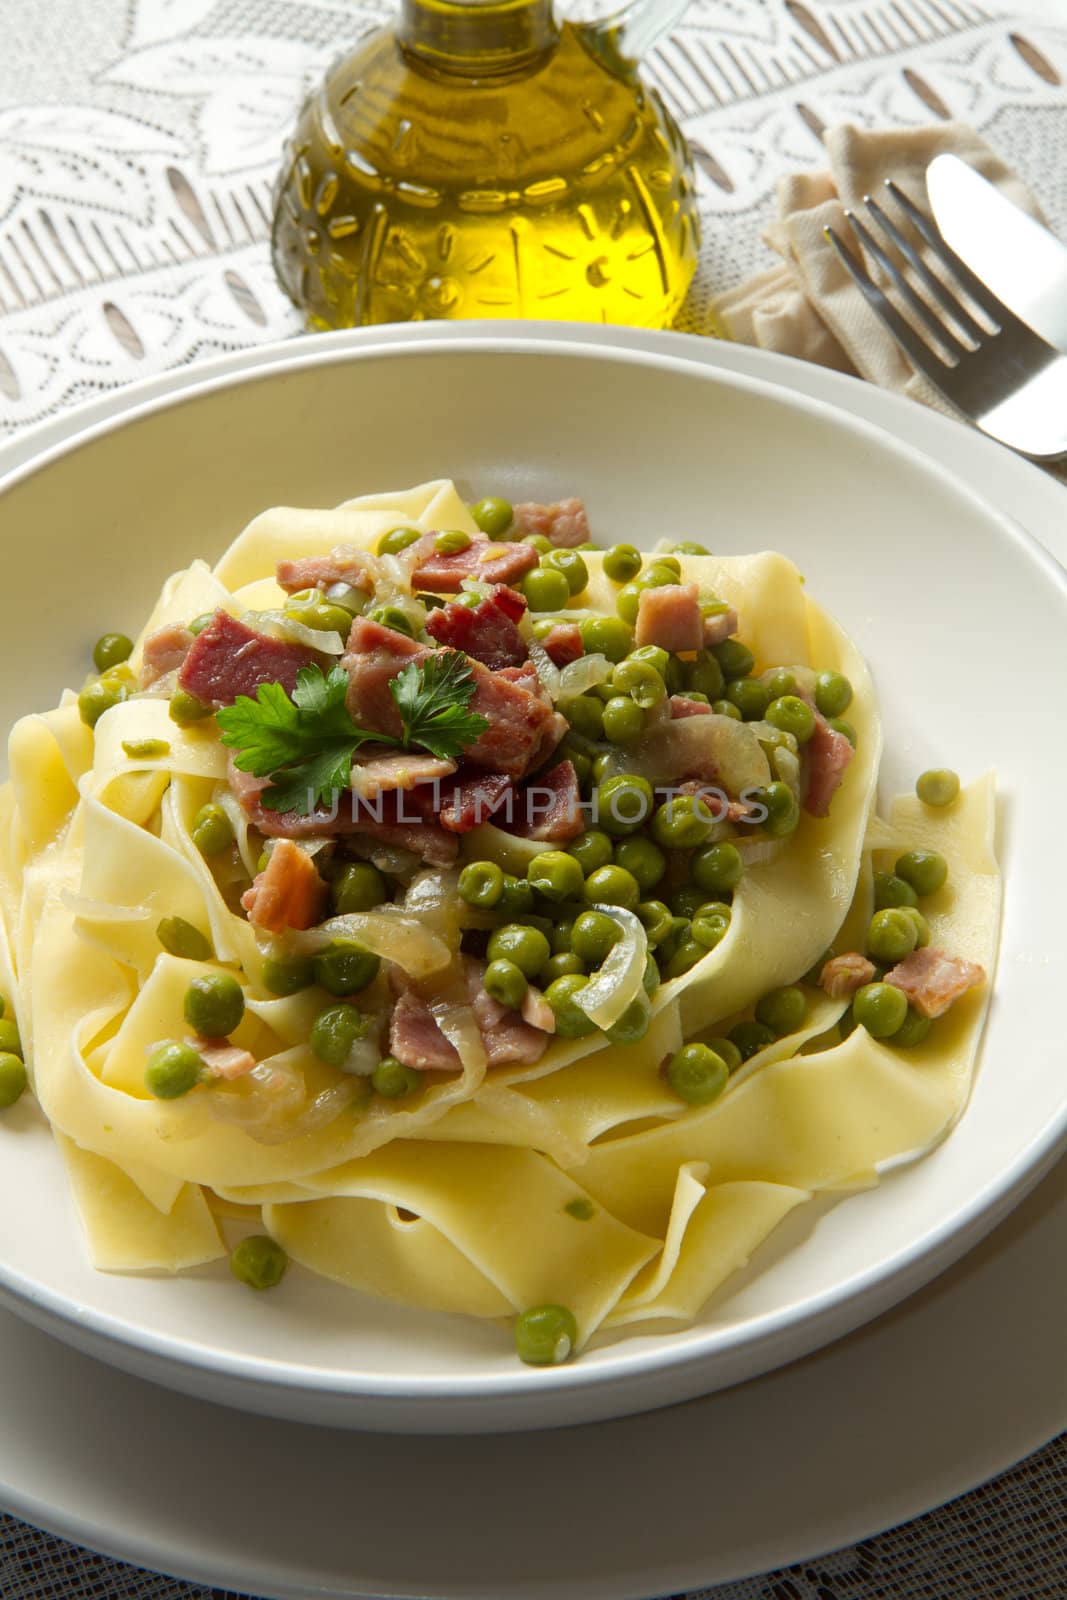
<point>1009,382</point>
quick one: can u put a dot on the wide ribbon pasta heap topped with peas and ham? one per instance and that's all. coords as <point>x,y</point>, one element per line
<point>522,1164</point>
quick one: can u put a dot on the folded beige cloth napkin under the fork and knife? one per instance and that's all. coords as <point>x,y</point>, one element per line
<point>809,305</point>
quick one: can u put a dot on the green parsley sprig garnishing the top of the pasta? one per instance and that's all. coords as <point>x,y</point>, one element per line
<point>305,745</point>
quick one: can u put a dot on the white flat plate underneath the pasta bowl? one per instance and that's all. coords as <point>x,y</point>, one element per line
<point>954,1386</point>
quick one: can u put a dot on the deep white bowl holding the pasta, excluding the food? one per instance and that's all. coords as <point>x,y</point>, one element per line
<point>940,591</point>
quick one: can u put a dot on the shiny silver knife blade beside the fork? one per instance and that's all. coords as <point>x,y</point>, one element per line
<point>1010,252</point>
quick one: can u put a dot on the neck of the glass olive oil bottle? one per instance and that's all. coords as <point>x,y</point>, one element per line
<point>478,38</point>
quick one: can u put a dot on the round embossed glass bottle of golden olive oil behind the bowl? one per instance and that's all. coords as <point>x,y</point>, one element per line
<point>484,161</point>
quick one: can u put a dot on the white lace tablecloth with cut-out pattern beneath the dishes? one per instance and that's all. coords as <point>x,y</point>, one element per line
<point>138,143</point>
